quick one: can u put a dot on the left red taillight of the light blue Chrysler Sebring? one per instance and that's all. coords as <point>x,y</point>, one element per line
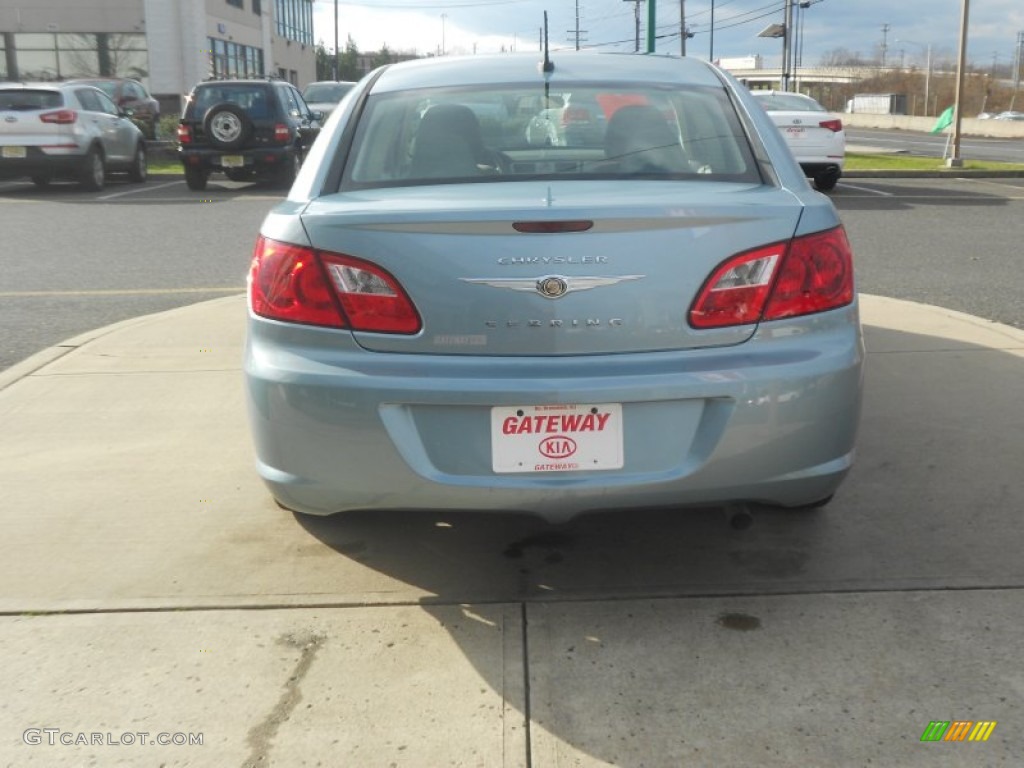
<point>295,284</point>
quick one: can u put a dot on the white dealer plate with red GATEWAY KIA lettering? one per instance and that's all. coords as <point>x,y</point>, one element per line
<point>557,439</point>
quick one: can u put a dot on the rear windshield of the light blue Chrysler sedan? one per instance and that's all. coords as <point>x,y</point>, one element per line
<point>527,133</point>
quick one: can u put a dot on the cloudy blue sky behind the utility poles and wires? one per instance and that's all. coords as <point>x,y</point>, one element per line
<point>858,26</point>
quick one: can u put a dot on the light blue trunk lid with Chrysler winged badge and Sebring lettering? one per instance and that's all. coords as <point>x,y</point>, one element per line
<point>506,270</point>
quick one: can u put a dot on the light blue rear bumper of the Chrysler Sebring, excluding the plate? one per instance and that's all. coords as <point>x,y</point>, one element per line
<point>773,421</point>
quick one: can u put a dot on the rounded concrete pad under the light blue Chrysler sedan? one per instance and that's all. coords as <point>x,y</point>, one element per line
<point>150,586</point>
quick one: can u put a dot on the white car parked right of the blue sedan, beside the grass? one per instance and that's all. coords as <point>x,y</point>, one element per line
<point>814,135</point>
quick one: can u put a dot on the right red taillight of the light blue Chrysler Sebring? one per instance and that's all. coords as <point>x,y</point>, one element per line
<point>809,275</point>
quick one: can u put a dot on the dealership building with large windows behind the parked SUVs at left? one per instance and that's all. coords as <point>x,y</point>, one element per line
<point>169,46</point>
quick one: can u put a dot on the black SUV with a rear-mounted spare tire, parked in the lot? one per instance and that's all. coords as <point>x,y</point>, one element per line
<point>245,129</point>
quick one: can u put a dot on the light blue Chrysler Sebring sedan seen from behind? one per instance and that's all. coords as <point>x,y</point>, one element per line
<point>439,322</point>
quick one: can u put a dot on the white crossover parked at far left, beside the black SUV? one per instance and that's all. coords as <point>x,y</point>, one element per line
<point>67,131</point>
